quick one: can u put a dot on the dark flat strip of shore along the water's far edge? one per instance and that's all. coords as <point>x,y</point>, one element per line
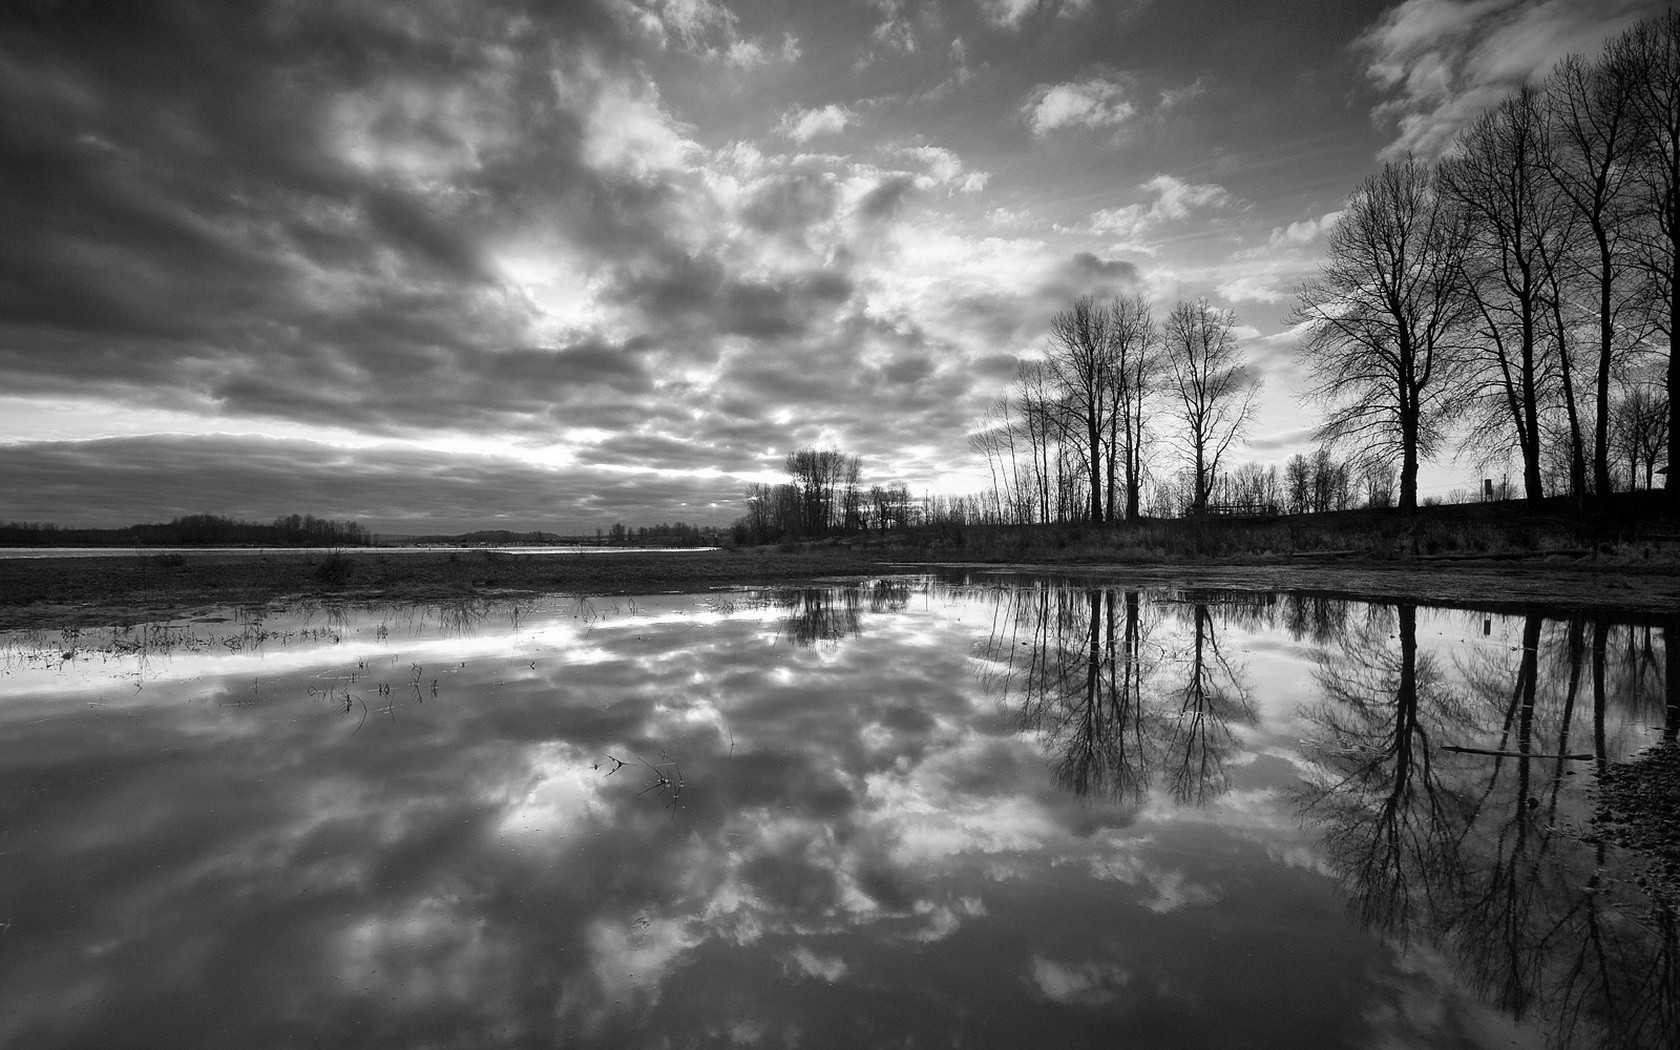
<point>80,591</point>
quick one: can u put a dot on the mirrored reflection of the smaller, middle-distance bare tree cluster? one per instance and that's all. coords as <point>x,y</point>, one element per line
<point>1120,705</point>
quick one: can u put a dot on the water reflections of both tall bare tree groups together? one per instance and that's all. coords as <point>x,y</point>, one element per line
<point>1474,851</point>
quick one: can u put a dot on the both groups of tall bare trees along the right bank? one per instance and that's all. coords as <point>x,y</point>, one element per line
<point>1513,302</point>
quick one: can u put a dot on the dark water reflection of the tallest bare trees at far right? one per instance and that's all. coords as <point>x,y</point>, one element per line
<point>1473,851</point>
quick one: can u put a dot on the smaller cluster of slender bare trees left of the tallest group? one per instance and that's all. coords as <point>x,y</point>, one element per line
<point>1069,441</point>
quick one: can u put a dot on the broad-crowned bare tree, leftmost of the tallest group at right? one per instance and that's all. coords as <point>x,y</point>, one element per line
<point>1385,322</point>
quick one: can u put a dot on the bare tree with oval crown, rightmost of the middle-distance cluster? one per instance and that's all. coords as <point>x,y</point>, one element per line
<point>1212,389</point>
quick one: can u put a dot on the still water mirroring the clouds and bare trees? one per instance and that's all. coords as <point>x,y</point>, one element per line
<point>985,812</point>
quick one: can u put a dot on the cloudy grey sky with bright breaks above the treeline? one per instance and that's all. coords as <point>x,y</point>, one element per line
<point>444,266</point>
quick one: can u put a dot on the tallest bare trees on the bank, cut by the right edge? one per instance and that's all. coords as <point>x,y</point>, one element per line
<point>1518,297</point>
